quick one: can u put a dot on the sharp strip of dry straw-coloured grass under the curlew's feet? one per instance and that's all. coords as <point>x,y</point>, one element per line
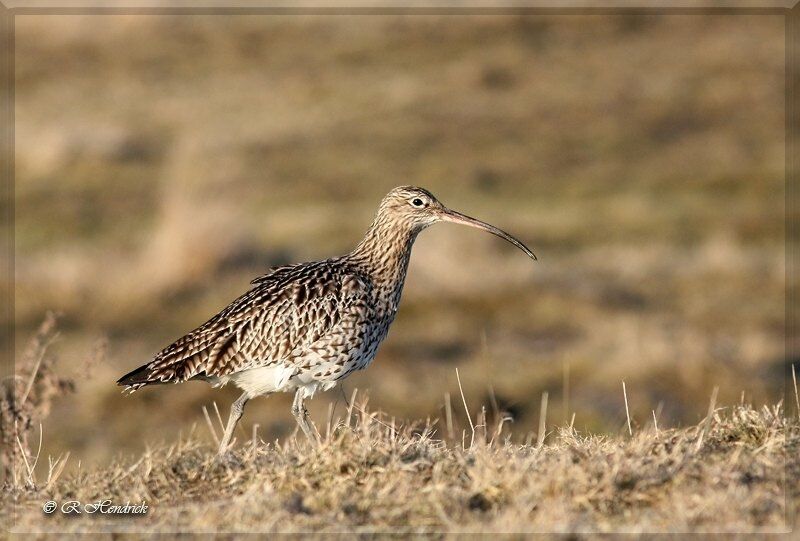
<point>737,471</point>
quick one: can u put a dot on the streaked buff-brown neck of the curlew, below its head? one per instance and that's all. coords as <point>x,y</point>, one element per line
<point>384,252</point>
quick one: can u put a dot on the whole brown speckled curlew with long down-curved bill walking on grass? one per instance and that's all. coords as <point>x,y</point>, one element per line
<point>305,327</point>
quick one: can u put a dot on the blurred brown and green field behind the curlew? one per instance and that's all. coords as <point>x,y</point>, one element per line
<point>164,161</point>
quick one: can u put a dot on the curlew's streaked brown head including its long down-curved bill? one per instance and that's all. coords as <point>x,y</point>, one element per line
<point>414,209</point>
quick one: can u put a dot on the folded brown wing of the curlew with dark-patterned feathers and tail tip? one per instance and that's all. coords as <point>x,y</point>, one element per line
<point>284,315</point>
